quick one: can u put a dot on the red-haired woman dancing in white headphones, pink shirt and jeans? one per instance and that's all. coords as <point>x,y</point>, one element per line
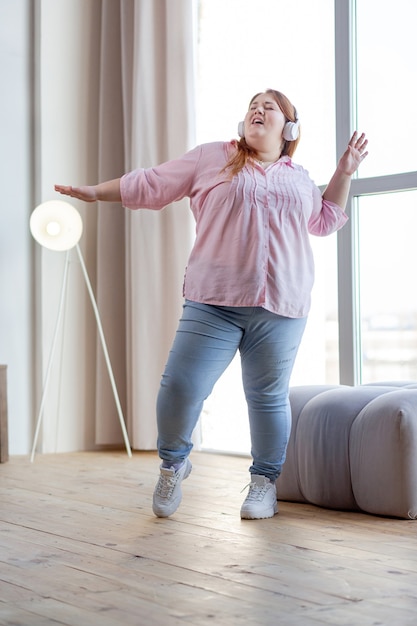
<point>247,285</point>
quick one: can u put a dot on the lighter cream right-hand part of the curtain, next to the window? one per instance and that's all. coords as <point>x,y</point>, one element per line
<point>158,243</point>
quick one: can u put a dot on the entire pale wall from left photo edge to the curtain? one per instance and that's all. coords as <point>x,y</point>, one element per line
<point>43,116</point>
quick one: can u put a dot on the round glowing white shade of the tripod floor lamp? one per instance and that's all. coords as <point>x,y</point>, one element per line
<point>56,225</point>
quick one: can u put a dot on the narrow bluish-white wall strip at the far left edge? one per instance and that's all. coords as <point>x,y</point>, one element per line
<point>15,242</point>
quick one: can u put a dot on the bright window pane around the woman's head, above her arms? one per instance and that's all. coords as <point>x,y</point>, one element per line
<point>289,46</point>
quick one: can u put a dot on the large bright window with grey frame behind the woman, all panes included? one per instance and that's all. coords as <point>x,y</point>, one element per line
<point>345,64</point>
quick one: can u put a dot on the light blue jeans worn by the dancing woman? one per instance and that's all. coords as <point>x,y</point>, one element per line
<point>206,341</point>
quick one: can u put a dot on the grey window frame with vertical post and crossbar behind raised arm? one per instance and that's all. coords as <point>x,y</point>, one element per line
<point>345,81</point>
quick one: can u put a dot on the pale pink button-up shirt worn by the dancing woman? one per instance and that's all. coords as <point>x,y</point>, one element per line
<point>252,243</point>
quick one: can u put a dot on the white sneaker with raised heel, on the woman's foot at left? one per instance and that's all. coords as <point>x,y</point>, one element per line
<point>167,495</point>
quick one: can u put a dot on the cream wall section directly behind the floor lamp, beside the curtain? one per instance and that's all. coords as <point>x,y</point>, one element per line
<point>65,157</point>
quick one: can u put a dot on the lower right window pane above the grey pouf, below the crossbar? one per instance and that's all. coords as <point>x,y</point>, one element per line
<point>387,258</point>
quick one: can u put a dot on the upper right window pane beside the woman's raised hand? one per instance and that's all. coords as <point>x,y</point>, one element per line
<point>386,53</point>
